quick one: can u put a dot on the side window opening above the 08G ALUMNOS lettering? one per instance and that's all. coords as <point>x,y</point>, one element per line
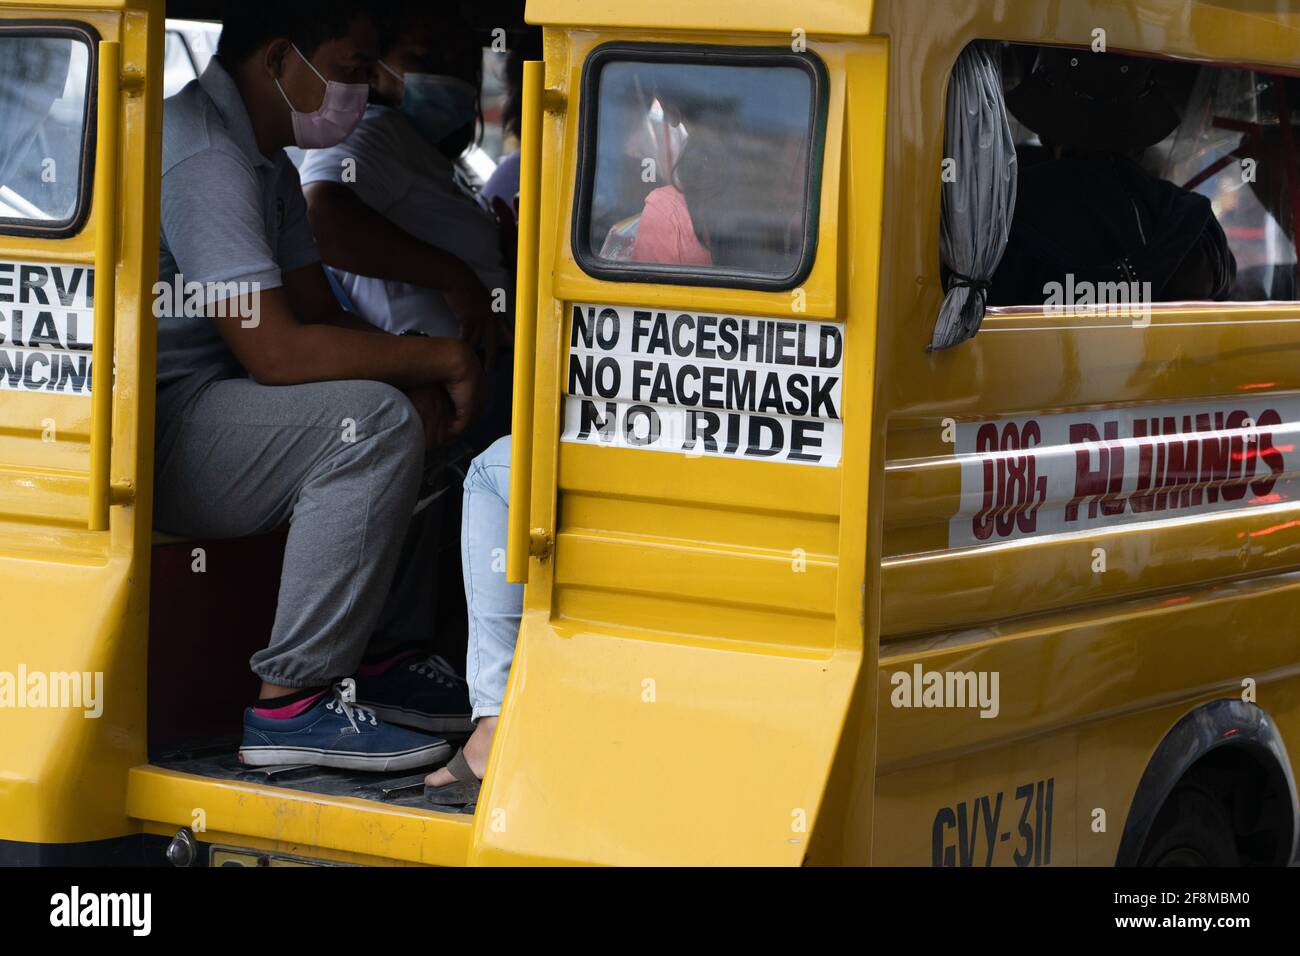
<point>1138,181</point>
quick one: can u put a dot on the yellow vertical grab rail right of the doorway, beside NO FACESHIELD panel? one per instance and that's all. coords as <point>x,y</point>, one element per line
<point>526,326</point>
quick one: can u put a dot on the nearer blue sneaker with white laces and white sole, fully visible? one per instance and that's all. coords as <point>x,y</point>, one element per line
<point>335,733</point>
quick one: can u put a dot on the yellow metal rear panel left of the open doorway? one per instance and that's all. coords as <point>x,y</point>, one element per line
<point>83,598</point>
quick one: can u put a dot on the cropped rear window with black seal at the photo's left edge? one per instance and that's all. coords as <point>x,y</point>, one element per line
<point>45,129</point>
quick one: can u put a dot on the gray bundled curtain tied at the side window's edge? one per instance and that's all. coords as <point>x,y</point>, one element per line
<point>978,207</point>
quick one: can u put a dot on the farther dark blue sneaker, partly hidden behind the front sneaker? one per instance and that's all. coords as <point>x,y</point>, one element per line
<point>418,693</point>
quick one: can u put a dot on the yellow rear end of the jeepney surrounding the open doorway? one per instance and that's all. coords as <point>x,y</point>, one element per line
<point>691,485</point>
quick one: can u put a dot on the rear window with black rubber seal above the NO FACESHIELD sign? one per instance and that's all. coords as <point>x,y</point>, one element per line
<point>701,166</point>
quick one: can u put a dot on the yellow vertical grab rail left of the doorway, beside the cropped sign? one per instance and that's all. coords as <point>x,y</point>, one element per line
<point>106,282</point>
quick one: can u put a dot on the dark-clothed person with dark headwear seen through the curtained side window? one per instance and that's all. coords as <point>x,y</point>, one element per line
<point>1091,211</point>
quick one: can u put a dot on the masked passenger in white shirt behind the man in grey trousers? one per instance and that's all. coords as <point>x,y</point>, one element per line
<point>411,246</point>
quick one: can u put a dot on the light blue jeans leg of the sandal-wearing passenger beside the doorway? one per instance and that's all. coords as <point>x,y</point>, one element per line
<point>495,607</point>
